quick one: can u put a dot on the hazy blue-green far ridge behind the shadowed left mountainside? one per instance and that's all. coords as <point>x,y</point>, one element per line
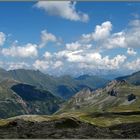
<point>63,86</point>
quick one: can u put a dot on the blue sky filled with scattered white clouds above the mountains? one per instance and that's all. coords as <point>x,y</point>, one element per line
<point>67,37</point>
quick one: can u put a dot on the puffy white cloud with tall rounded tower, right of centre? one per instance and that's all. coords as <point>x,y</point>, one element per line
<point>103,37</point>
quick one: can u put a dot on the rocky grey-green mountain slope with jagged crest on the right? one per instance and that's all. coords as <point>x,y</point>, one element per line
<point>116,96</point>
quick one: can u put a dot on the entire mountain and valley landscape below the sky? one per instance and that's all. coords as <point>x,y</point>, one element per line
<point>29,109</point>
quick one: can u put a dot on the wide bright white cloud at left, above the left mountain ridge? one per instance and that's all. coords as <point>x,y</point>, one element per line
<point>28,50</point>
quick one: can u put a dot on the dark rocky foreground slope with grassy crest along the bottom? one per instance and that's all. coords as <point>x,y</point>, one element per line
<point>65,126</point>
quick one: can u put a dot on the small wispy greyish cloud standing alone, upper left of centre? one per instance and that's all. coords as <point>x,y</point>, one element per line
<point>46,37</point>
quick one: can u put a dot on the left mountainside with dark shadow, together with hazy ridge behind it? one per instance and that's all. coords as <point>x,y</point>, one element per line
<point>32,92</point>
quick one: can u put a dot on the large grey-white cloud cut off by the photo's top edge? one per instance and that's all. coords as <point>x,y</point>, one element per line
<point>64,9</point>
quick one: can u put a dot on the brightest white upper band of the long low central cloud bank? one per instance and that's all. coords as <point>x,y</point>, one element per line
<point>93,59</point>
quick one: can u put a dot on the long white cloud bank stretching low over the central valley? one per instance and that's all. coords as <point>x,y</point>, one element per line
<point>79,60</point>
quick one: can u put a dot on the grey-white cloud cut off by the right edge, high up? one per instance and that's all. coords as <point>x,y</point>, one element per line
<point>127,38</point>
